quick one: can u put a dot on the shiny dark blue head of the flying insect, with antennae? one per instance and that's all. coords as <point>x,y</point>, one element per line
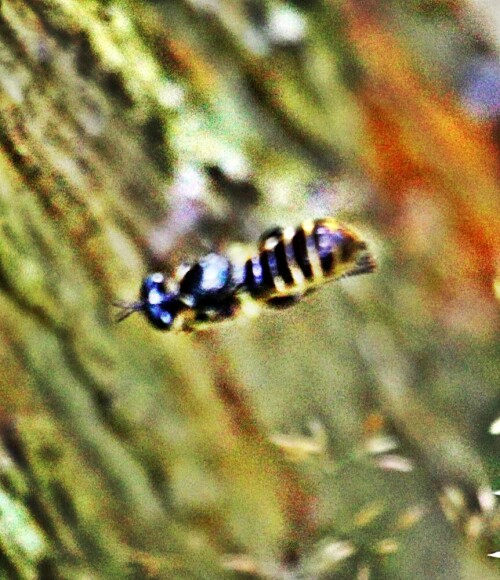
<point>158,304</point>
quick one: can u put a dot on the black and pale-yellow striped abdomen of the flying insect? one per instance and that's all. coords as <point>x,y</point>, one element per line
<point>292,261</point>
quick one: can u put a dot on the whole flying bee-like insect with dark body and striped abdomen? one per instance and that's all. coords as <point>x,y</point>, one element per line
<point>290,263</point>
